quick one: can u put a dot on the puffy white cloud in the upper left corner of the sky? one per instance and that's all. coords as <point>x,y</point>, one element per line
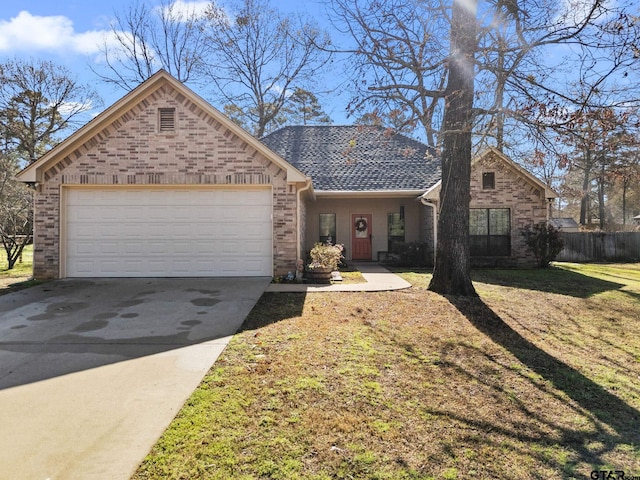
<point>27,32</point>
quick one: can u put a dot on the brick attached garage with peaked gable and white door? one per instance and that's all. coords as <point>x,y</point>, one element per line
<point>161,184</point>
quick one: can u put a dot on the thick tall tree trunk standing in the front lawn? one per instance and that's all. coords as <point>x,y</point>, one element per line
<point>452,272</point>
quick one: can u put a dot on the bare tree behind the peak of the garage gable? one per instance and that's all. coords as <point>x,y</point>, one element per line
<point>145,39</point>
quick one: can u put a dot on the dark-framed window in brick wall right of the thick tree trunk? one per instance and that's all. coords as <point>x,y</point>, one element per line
<point>490,232</point>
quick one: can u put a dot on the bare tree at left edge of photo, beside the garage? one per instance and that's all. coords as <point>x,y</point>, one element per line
<point>38,101</point>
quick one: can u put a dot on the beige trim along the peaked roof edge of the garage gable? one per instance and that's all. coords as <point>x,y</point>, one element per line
<point>97,127</point>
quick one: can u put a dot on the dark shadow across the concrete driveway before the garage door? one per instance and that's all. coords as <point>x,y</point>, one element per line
<point>67,326</point>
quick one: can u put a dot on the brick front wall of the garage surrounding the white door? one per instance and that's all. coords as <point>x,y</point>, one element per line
<point>131,151</point>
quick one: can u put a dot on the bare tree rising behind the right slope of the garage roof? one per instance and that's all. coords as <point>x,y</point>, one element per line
<point>257,57</point>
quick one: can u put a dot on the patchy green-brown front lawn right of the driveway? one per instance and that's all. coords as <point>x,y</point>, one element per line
<point>538,380</point>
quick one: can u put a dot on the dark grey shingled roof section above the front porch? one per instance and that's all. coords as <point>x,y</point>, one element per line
<point>356,158</point>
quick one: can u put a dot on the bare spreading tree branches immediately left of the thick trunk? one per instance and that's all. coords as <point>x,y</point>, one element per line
<point>399,59</point>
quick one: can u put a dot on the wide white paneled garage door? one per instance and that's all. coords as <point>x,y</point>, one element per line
<point>167,232</point>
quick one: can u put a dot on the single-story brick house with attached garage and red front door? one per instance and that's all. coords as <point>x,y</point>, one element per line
<point>163,184</point>
